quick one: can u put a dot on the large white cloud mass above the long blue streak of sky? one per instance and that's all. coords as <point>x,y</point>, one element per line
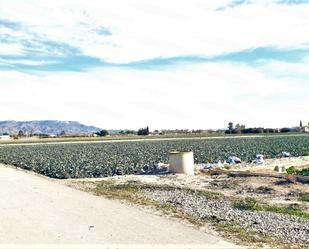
<point>161,28</point>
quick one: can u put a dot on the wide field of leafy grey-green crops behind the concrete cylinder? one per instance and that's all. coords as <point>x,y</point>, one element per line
<point>116,158</point>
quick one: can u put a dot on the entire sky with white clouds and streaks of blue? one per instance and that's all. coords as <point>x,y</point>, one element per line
<point>125,64</point>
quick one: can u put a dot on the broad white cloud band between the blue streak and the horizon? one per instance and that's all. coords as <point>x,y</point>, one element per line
<point>194,97</point>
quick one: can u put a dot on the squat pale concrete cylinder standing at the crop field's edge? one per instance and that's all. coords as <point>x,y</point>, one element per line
<point>181,162</point>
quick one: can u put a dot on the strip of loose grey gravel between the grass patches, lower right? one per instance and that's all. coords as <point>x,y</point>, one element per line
<point>284,227</point>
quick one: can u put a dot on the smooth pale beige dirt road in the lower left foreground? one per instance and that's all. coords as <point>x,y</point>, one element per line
<point>36,210</point>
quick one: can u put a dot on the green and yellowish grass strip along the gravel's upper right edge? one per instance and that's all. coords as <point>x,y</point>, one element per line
<point>251,204</point>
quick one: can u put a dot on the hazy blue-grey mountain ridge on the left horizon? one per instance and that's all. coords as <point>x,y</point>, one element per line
<point>46,127</point>
